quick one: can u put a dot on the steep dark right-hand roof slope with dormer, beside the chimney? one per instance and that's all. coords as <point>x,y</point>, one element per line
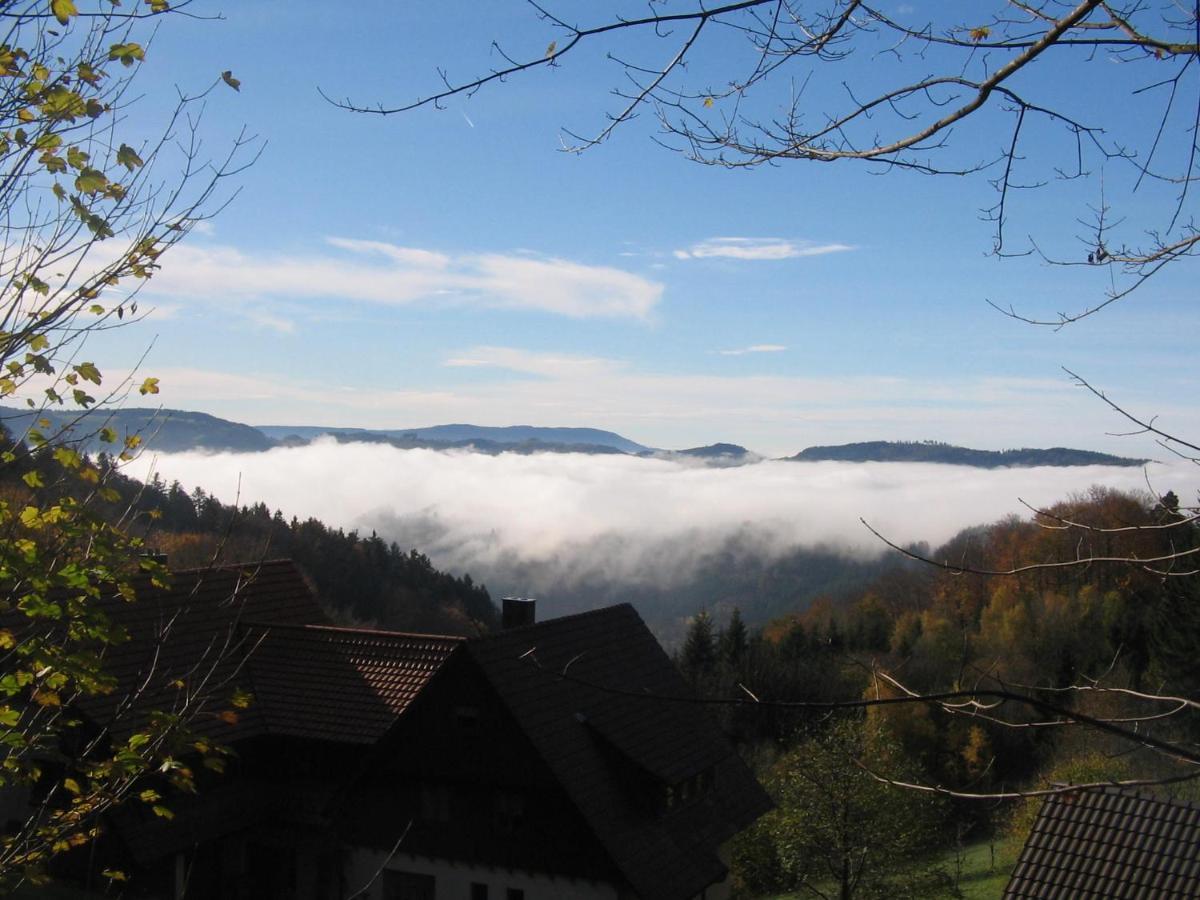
<point>623,710</point>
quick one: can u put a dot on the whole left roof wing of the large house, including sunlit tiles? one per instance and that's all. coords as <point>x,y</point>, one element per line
<point>259,628</point>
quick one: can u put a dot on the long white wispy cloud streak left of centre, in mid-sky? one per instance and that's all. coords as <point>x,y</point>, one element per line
<point>381,273</point>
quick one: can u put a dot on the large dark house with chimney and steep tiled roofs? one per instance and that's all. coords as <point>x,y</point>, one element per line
<point>562,759</point>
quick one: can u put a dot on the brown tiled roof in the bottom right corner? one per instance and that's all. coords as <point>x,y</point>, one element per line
<point>1111,844</point>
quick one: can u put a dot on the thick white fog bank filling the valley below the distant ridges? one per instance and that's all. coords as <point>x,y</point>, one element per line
<point>626,519</point>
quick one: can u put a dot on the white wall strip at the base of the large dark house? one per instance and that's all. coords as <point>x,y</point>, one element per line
<point>454,880</point>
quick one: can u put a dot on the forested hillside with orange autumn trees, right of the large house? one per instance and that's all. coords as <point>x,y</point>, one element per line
<point>1090,640</point>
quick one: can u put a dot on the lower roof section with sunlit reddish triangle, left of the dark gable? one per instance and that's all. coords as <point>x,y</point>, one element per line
<point>335,683</point>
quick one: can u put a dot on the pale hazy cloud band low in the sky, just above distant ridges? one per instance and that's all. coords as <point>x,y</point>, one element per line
<point>775,415</point>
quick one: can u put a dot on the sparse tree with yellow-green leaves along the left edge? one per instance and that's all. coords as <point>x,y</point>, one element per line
<point>91,201</point>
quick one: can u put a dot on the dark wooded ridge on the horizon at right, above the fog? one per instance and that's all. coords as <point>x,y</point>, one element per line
<point>950,455</point>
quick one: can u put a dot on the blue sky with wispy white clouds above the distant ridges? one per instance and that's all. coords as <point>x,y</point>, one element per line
<point>455,266</point>
